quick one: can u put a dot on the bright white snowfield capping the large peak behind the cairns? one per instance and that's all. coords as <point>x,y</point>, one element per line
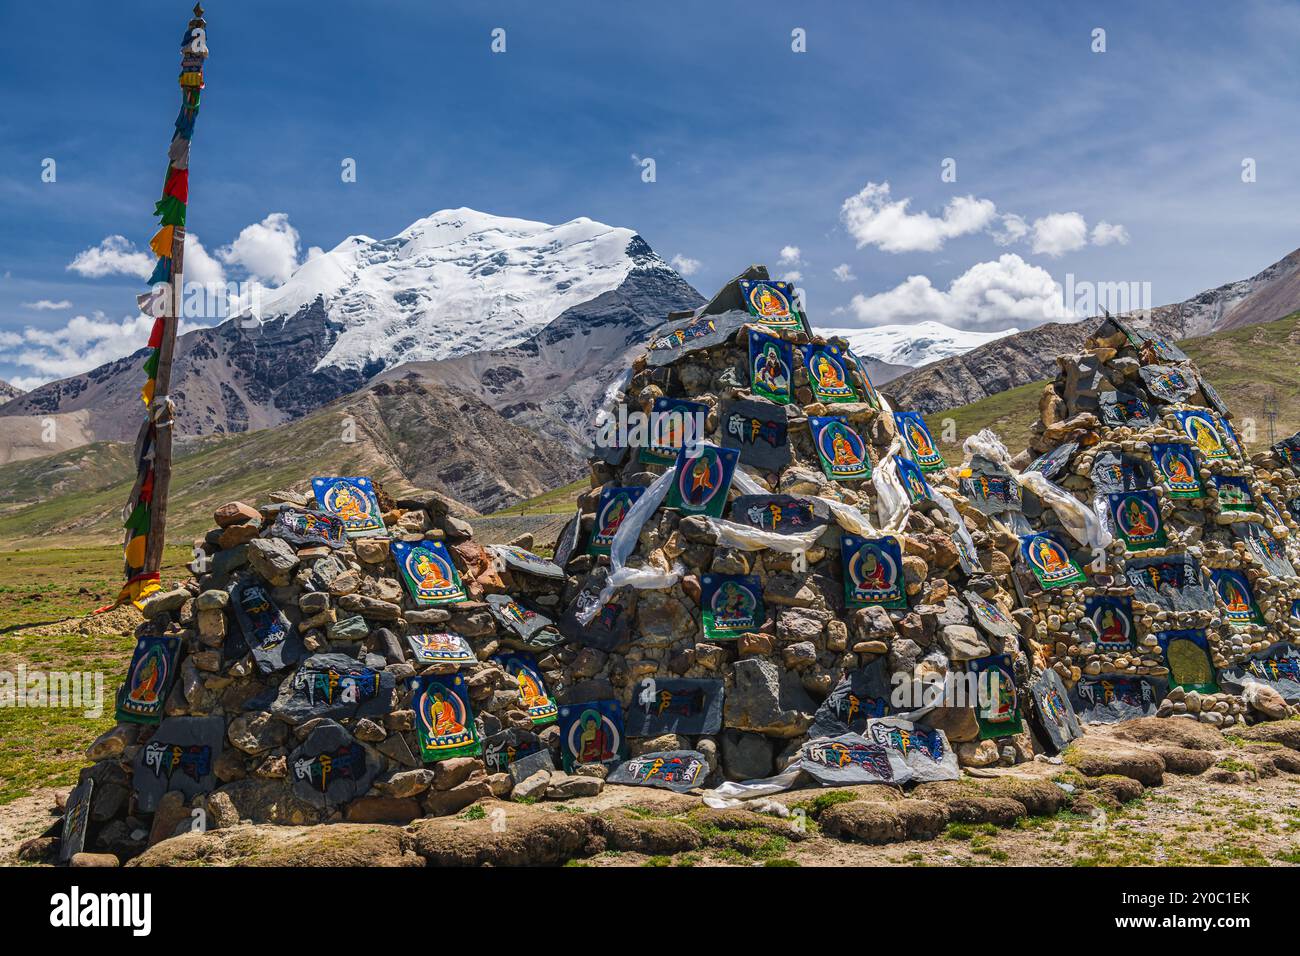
<point>460,282</point>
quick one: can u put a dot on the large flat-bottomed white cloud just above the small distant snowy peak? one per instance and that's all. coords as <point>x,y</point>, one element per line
<point>1007,291</point>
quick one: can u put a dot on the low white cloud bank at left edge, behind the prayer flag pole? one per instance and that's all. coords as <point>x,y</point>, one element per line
<point>81,345</point>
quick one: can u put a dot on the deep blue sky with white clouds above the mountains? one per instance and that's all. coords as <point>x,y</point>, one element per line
<point>757,148</point>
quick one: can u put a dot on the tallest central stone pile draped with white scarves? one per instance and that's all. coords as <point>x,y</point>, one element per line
<point>808,654</point>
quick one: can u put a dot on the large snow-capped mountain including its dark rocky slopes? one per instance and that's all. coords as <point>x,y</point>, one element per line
<point>456,284</point>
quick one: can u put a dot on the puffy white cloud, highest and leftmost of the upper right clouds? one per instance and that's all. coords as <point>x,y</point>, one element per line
<point>874,219</point>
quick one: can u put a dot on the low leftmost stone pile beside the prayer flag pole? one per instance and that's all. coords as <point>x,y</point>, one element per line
<point>242,717</point>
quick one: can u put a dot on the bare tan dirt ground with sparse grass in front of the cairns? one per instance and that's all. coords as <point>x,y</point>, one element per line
<point>1185,821</point>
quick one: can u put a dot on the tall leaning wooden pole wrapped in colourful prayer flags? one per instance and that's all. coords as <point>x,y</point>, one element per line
<point>145,516</point>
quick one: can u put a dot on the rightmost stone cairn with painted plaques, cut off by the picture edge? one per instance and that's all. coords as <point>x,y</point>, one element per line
<point>1203,538</point>
